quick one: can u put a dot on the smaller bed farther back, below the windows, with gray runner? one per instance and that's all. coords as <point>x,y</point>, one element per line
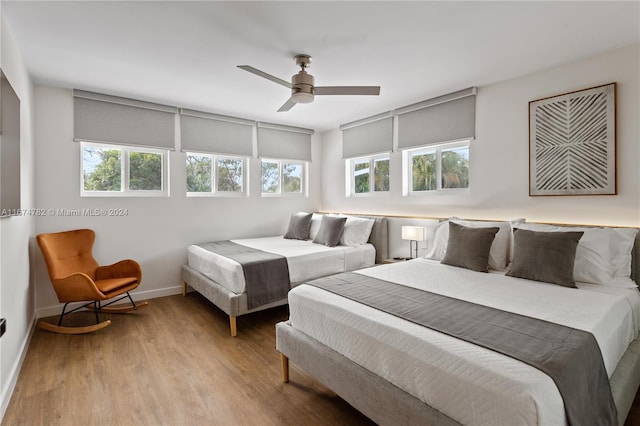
<point>222,279</point>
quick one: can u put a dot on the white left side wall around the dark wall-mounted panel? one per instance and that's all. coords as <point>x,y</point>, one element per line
<point>16,233</point>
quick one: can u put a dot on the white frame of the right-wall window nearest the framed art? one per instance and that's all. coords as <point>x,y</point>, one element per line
<point>407,164</point>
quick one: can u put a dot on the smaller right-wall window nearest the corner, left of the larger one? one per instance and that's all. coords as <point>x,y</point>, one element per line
<point>369,175</point>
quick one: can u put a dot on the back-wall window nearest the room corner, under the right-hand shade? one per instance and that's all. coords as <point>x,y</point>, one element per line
<point>282,177</point>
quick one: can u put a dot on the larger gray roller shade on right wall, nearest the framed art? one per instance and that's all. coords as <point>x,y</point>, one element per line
<point>445,118</point>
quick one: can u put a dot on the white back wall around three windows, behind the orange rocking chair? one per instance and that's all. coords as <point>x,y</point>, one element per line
<point>156,231</point>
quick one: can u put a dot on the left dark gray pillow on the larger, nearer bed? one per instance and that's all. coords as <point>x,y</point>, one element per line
<point>469,247</point>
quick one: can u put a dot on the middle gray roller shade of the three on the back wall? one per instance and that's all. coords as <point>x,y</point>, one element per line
<point>216,134</point>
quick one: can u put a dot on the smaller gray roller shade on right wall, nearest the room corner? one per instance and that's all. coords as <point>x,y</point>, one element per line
<point>373,135</point>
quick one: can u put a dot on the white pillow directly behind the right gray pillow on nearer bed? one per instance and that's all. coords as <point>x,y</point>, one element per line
<point>595,261</point>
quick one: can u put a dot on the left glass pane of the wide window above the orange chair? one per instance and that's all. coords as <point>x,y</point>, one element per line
<point>101,169</point>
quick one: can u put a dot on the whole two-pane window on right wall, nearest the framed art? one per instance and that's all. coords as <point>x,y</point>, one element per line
<point>437,168</point>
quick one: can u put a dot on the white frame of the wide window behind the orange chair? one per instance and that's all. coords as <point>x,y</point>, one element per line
<point>125,151</point>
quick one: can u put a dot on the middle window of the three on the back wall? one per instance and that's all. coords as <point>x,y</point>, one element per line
<point>209,174</point>
